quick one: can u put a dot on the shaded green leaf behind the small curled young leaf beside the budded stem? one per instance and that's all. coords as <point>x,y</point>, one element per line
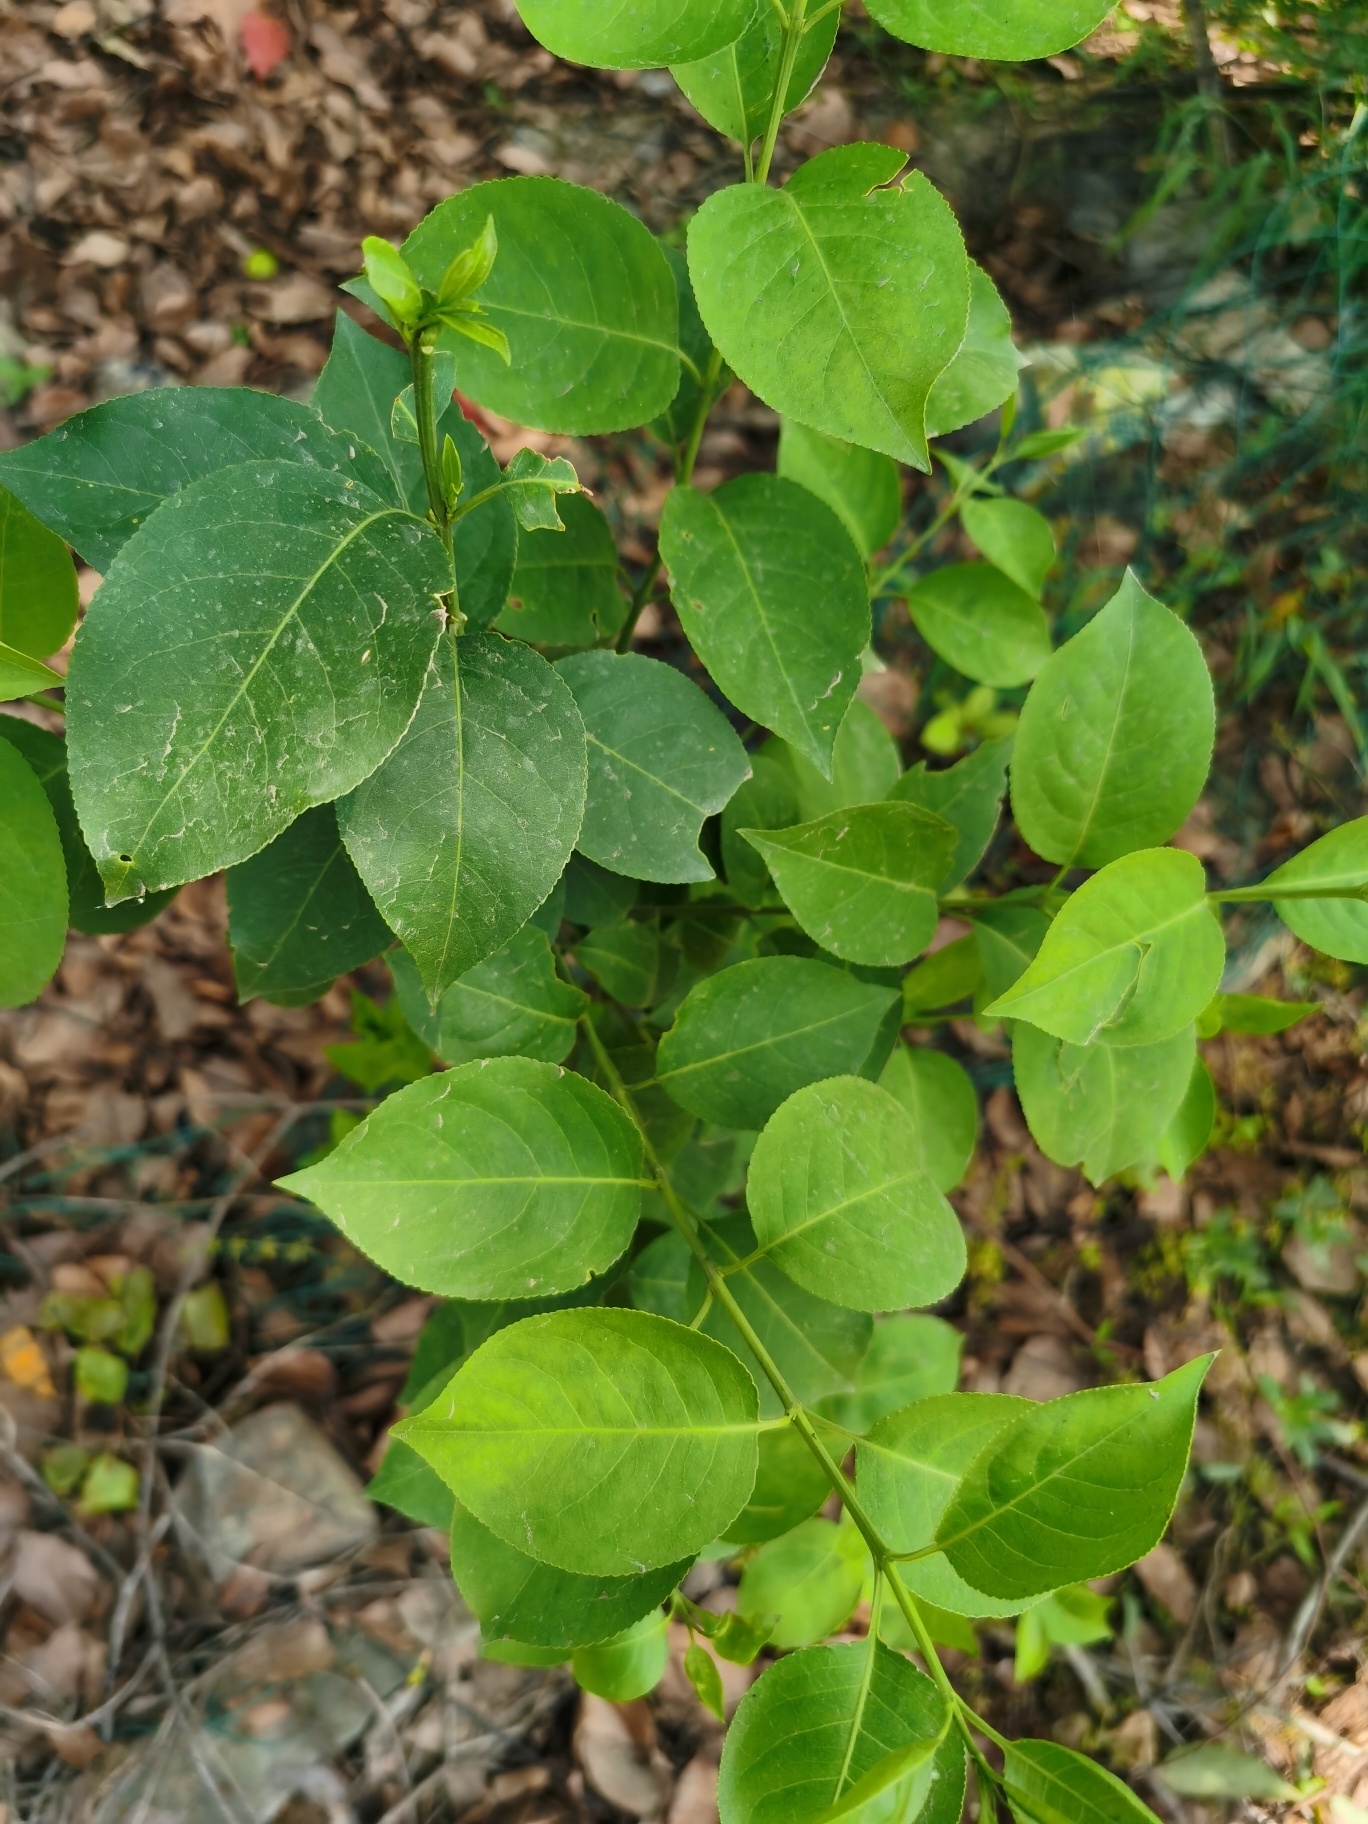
<point>566,586</point>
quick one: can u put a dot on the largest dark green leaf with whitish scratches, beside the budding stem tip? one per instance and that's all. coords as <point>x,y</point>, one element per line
<point>256,652</point>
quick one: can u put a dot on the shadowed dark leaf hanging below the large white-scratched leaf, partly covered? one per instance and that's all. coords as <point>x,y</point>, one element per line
<point>300,917</point>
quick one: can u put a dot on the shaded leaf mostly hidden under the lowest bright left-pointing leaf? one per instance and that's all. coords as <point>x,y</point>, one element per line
<point>517,1597</point>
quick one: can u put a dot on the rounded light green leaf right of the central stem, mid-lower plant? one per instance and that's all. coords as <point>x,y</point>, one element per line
<point>842,1199</point>
